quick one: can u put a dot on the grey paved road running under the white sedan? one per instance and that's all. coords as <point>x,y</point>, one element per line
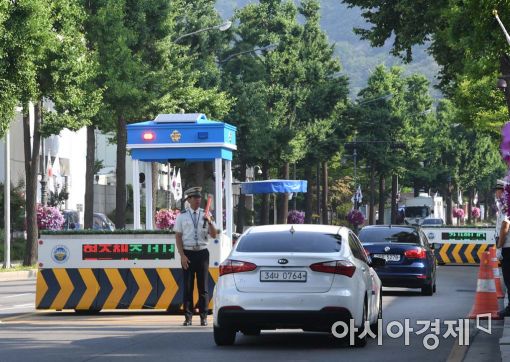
<point>121,336</point>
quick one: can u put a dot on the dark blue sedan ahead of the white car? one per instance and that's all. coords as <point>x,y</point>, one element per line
<point>410,261</point>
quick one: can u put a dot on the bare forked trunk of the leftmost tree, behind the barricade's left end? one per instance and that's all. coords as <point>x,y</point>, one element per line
<point>31,150</point>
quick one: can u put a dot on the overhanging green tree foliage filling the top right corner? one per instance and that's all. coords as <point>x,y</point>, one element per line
<point>464,39</point>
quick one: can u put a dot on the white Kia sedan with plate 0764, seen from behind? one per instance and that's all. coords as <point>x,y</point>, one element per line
<point>295,276</point>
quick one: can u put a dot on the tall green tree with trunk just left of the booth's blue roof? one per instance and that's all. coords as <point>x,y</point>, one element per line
<point>127,36</point>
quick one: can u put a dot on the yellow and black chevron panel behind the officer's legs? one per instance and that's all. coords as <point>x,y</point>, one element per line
<point>113,288</point>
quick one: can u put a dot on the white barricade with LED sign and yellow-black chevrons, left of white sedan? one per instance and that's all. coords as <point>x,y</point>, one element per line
<point>87,272</point>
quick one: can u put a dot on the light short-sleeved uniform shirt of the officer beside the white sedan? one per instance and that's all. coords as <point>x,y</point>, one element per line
<point>190,224</point>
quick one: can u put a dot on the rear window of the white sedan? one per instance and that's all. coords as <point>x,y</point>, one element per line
<point>297,242</point>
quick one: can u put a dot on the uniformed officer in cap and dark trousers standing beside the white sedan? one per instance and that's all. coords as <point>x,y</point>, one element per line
<point>192,228</point>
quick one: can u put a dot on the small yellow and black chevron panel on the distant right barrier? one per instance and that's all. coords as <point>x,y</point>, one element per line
<point>449,253</point>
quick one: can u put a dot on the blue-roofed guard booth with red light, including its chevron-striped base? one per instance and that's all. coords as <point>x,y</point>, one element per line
<point>140,269</point>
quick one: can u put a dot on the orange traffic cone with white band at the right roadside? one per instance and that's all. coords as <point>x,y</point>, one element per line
<point>486,300</point>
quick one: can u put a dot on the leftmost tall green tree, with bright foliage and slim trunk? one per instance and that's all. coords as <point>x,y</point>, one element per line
<point>44,57</point>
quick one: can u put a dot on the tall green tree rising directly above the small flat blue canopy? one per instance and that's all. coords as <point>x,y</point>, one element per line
<point>282,73</point>
